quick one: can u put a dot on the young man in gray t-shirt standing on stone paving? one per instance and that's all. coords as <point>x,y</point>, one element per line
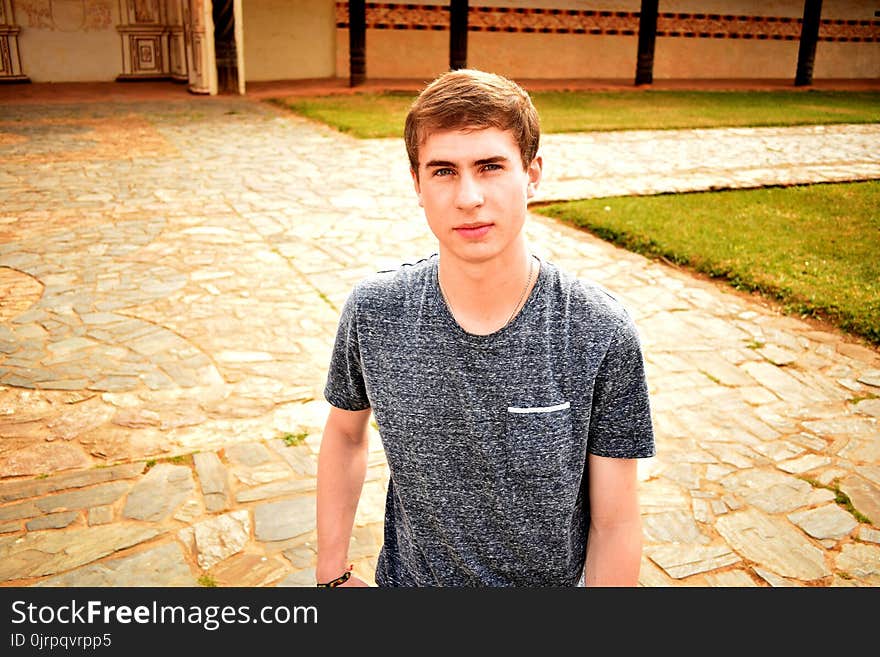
<point>510,396</point>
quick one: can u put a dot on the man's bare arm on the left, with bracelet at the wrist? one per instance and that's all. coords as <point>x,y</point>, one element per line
<point>342,467</point>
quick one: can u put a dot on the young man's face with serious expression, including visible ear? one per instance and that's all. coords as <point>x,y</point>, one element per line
<point>474,190</point>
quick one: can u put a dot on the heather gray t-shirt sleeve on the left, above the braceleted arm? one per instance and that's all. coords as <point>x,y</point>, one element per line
<point>345,387</point>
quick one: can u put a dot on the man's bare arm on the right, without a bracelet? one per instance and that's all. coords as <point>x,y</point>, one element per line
<point>614,543</point>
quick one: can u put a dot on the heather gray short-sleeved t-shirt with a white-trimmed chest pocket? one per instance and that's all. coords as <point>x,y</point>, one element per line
<point>487,436</point>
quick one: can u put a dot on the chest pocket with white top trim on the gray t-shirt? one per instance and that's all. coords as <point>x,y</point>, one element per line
<point>537,440</point>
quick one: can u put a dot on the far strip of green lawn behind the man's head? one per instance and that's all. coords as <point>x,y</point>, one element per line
<point>368,115</point>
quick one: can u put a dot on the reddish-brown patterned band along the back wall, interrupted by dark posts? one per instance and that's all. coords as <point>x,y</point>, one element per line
<point>400,16</point>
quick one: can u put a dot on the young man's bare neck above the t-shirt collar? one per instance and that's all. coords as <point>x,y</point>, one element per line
<point>484,296</point>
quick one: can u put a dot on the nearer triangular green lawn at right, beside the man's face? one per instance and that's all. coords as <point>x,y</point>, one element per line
<point>814,248</point>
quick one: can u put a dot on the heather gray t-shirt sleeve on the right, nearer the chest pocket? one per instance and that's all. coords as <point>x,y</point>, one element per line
<point>620,418</point>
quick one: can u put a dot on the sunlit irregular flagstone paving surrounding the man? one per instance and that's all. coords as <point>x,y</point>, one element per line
<point>170,278</point>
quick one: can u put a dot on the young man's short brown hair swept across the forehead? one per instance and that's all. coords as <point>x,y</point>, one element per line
<point>468,98</point>
